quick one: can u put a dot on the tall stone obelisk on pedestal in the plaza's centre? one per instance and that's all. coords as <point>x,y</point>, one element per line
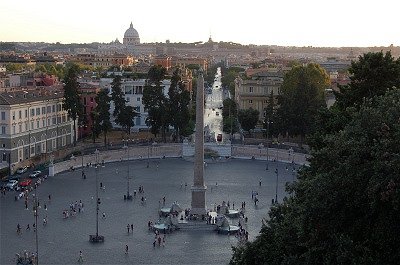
<point>198,188</point>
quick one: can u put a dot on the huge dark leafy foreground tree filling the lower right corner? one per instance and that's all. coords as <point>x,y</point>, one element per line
<point>344,207</point>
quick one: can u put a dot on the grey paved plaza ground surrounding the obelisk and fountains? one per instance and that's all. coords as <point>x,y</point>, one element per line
<point>61,239</point>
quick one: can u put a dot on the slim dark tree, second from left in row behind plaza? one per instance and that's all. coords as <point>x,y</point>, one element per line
<point>101,114</point>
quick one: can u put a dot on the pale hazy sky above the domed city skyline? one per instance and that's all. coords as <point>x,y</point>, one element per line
<point>279,22</point>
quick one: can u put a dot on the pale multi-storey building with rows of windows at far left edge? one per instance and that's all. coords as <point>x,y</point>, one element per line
<point>33,122</point>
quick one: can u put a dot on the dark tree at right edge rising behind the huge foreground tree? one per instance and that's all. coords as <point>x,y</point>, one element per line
<point>372,75</point>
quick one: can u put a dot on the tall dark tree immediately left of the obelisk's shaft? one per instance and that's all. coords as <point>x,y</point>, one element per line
<point>179,99</point>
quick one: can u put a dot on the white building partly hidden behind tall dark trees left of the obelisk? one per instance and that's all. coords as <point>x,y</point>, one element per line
<point>133,90</point>
